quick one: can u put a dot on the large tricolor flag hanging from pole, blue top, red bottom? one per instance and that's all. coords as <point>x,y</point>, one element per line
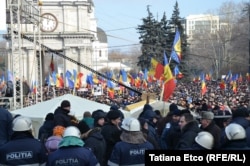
<point>169,83</point>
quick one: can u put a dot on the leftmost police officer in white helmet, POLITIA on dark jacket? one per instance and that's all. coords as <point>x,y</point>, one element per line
<point>23,148</point>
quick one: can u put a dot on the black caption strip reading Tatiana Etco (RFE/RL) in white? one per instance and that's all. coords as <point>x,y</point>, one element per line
<point>198,157</point>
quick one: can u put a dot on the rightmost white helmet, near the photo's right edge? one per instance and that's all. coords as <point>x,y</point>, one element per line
<point>235,131</point>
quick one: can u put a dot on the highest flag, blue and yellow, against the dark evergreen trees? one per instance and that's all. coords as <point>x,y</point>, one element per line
<point>176,49</point>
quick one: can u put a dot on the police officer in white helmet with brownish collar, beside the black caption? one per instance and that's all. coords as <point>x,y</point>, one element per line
<point>131,150</point>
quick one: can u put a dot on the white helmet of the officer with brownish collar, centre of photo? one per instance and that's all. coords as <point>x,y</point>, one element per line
<point>131,124</point>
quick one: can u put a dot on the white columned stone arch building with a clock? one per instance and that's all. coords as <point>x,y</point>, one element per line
<point>68,27</point>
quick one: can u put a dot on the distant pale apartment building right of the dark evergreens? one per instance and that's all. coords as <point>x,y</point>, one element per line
<point>202,23</point>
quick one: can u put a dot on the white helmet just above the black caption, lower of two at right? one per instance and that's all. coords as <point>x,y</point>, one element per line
<point>205,139</point>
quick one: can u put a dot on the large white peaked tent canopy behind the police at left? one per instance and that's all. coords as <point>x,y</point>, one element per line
<point>79,105</point>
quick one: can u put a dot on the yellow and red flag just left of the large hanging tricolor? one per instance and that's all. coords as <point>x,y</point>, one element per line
<point>156,70</point>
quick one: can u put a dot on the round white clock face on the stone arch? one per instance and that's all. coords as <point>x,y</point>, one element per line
<point>48,22</point>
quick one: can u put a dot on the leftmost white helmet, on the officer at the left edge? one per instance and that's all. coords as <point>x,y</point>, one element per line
<point>22,124</point>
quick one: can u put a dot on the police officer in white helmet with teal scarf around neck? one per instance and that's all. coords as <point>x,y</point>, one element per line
<point>71,151</point>
